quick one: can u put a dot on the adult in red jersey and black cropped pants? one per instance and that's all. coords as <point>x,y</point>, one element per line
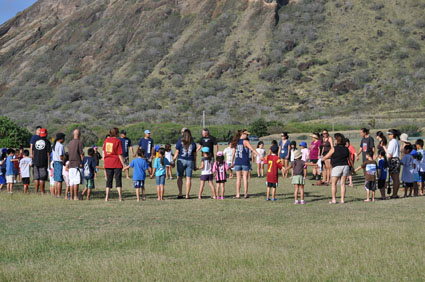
<point>113,162</point>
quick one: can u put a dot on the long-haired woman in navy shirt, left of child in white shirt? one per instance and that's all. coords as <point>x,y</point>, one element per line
<point>186,162</point>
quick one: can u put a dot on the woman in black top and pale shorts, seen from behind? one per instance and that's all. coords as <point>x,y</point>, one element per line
<point>340,161</point>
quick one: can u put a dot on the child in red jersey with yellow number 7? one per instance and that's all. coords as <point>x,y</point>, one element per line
<point>273,166</point>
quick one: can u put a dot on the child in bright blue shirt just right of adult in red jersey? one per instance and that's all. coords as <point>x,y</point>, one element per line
<point>139,165</point>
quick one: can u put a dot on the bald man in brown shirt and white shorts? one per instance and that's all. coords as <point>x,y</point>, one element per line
<point>76,156</point>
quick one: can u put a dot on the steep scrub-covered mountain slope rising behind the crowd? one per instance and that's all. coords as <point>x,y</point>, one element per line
<point>121,62</point>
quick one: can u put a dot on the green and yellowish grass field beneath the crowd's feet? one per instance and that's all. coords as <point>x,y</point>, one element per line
<point>48,239</point>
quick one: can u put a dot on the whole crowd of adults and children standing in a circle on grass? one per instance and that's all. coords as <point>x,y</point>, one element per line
<point>331,158</point>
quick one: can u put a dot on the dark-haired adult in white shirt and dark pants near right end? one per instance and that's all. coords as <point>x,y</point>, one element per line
<point>393,156</point>
